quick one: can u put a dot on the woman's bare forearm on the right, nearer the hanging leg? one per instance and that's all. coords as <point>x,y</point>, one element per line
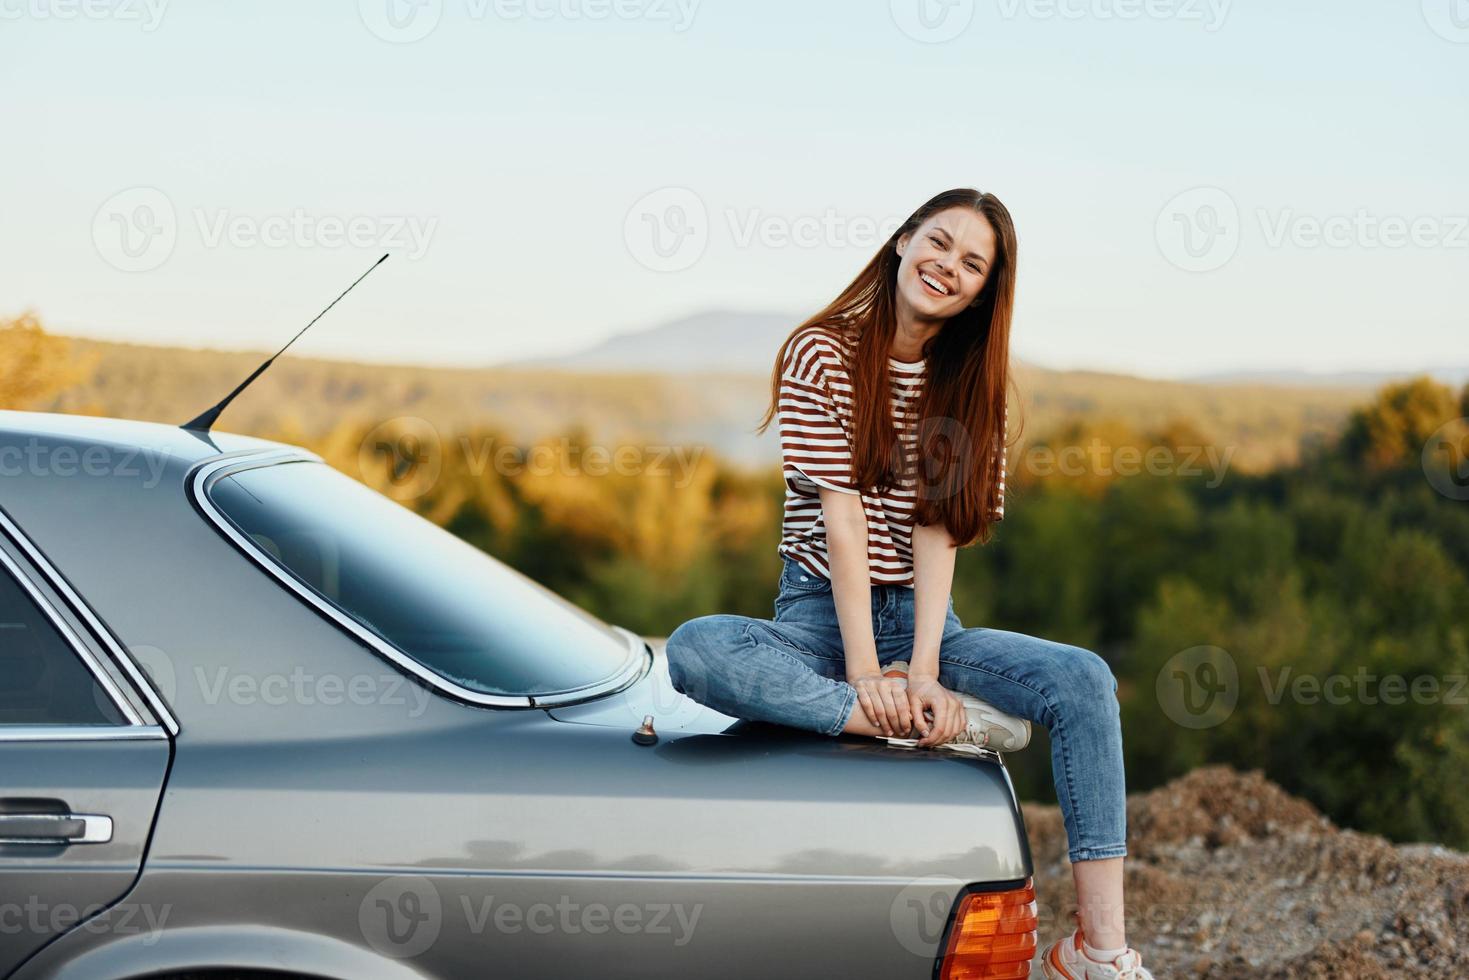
<point>934,580</point>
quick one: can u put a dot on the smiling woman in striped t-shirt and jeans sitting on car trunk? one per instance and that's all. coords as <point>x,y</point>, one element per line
<point>879,496</point>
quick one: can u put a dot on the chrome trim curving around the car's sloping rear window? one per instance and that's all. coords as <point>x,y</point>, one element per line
<point>206,474</point>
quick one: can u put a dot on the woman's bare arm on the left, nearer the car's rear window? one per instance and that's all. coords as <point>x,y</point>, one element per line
<point>882,700</point>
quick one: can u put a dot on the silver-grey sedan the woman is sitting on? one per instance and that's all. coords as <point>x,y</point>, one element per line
<point>258,719</point>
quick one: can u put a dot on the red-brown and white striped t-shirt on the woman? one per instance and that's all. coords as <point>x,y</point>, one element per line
<point>816,427</point>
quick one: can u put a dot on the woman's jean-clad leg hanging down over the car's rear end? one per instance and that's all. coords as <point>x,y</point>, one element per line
<point>1073,693</point>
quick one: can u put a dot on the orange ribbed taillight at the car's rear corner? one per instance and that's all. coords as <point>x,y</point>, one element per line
<point>994,937</point>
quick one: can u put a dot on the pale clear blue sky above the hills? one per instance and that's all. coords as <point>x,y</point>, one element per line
<point>1198,186</point>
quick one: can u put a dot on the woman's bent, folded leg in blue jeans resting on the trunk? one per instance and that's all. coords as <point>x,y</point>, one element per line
<point>765,671</point>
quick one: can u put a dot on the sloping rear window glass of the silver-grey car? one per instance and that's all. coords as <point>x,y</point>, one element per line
<point>463,615</point>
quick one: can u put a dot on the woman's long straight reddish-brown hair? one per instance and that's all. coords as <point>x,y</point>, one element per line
<point>961,414</point>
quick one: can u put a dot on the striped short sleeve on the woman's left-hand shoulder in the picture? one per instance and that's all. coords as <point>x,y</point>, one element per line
<point>815,442</point>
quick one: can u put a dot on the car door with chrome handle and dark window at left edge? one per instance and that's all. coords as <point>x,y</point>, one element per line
<point>83,765</point>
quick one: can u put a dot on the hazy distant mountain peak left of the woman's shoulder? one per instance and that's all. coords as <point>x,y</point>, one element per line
<point>713,342</point>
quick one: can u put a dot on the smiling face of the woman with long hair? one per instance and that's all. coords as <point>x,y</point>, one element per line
<point>945,262</point>
